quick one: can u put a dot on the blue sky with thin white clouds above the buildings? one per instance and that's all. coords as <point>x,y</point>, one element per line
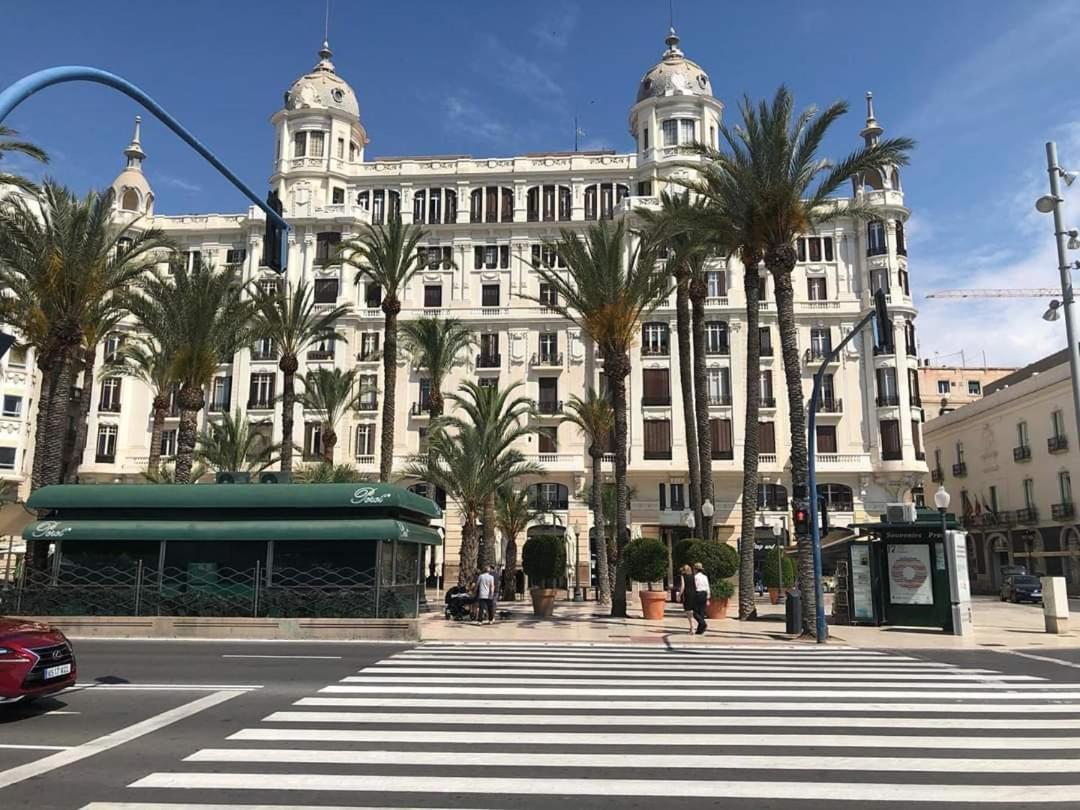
<point>981,86</point>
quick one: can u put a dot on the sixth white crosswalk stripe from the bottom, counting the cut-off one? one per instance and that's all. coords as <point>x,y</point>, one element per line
<point>674,706</point>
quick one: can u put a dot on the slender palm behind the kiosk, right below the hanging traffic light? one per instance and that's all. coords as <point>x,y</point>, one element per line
<point>293,321</point>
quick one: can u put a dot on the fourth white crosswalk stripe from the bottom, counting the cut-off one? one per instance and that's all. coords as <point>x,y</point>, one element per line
<point>659,739</point>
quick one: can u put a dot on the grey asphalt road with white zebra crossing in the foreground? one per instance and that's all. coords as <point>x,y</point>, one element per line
<point>227,725</point>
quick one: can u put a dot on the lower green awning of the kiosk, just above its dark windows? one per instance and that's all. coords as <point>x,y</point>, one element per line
<point>232,531</point>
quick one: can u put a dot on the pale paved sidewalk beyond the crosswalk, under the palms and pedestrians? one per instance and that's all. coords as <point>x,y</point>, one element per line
<point>997,625</point>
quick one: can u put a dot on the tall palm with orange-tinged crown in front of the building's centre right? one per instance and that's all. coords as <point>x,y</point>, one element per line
<point>606,290</point>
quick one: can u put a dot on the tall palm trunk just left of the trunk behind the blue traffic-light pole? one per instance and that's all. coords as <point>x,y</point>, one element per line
<point>748,609</point>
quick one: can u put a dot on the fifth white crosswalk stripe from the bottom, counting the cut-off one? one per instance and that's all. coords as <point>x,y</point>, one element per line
<point>600,721</point>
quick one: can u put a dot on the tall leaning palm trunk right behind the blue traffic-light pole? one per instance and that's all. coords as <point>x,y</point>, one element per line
<point>781,262</point>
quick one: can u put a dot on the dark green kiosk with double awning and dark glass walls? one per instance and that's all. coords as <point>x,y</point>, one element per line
<point>229,550</point>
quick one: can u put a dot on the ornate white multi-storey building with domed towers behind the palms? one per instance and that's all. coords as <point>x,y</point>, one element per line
<point>487,221</point>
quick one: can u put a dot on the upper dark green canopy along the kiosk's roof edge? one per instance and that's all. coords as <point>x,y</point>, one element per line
<point>359,497</point>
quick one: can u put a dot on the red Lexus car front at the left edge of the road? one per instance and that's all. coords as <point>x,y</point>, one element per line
<point>36,660</point>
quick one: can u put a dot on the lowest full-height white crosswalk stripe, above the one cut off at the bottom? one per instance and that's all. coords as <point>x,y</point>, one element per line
<point>638,788</point>
